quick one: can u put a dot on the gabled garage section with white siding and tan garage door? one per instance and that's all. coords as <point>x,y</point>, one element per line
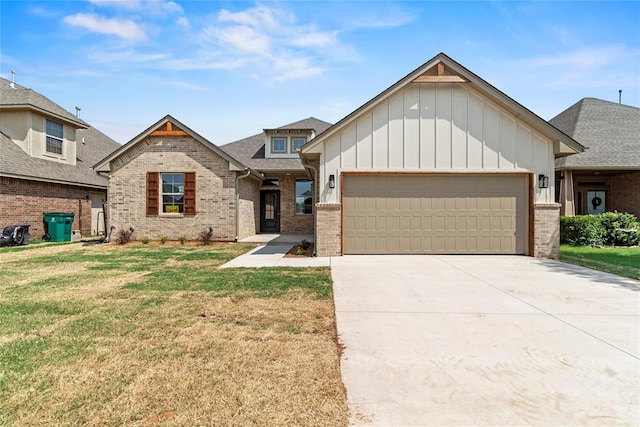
<point>440,162</point>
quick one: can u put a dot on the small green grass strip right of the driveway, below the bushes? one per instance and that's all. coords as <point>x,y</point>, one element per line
<point>621,261</point>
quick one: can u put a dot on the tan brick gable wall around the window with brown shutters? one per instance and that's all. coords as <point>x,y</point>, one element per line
<point>215,190</point>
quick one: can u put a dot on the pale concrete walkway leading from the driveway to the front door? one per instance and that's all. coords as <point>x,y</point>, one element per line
<point>272,253</point>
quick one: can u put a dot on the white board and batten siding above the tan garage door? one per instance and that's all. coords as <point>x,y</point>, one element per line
<point>446,127</point>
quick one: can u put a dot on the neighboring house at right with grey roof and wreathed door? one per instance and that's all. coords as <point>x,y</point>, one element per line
<point>606,176</point>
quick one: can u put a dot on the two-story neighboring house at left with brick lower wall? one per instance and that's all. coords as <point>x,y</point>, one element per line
<point>46,159</point>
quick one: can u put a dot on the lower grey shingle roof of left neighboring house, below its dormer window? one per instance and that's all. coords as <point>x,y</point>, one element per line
<point>90,144</point>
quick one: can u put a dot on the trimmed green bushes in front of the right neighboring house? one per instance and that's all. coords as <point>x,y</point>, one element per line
<point>610,228</point>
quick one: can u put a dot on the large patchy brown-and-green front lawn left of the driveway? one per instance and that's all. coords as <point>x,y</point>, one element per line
<point>146,335</point>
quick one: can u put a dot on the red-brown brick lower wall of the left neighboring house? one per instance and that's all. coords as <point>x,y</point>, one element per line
<point>24,201</point>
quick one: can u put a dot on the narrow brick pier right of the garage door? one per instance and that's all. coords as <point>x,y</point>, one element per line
<point>546,231</point>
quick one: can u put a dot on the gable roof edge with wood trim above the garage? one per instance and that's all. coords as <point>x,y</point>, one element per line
<point>441,68</point>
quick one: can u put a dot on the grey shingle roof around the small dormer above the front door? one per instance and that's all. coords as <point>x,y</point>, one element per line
<point>251,150</point>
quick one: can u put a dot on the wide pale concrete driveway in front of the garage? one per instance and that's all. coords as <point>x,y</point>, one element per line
<point>486,340</point>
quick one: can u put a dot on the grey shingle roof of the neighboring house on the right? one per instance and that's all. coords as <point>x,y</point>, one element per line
<point>610,131</point>
